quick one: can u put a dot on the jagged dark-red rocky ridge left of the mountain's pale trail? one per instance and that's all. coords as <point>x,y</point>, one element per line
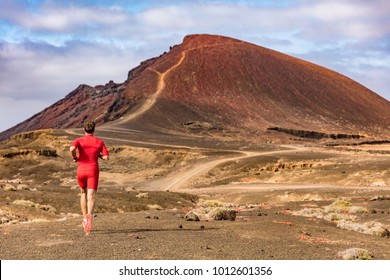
<point>102,103</point>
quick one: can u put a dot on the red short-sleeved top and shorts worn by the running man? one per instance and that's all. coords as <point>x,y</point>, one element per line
<point>89,149</point>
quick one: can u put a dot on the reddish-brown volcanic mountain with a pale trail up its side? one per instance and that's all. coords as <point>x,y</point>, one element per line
<point>220,84</point>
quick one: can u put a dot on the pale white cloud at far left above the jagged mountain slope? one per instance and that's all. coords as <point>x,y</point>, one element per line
<point>49,72</point>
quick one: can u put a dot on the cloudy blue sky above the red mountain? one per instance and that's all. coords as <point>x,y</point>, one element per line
<point>48,48</point>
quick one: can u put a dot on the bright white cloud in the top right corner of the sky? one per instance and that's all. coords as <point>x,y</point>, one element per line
<point>344,20</point>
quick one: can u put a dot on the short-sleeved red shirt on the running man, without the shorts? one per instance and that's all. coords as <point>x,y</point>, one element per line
<point>89,148</point>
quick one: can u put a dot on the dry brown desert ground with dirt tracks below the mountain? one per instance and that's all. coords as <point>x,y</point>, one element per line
<point>196,198</point>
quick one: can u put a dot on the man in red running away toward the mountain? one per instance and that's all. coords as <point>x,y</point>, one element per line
<point>86,151</point>
